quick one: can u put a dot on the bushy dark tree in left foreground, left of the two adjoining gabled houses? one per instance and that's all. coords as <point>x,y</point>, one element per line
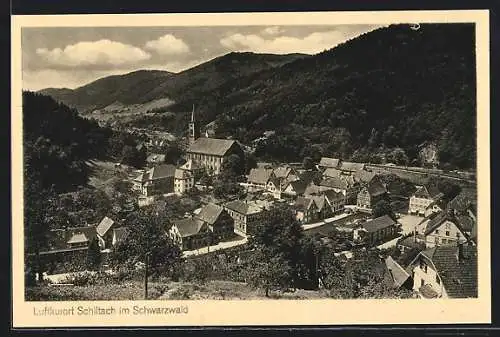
<point>147,236</point>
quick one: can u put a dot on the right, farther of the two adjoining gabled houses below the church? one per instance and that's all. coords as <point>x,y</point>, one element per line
<point>220,223</point>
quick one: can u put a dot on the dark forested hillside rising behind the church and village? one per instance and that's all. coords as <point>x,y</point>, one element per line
<point>377,98</point>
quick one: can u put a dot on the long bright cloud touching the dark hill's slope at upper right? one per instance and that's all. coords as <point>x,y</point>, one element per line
<point>310,44</point>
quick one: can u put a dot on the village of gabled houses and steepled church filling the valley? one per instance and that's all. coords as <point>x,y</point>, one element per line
<point>347,204</point>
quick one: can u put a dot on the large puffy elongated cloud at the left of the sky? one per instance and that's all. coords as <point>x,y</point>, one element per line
<point>96,54</point>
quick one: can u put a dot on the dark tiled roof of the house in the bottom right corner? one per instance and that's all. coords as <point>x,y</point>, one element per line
<point>457,268</point>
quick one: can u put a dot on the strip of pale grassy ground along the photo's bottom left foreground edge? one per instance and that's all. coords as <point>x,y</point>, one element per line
<point>212,290</point>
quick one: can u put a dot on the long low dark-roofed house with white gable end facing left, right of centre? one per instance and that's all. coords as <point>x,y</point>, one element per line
<point>380,229</point>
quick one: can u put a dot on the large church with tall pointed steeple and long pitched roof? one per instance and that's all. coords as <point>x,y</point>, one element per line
<point>207,152</point>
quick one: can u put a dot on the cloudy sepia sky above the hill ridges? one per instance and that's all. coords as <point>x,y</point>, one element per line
<point>69,57</point>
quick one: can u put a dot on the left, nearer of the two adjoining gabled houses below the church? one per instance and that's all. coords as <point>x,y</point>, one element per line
<point>190,233</point>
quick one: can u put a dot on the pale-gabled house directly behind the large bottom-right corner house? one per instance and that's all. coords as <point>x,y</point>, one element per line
<point>444,229</point>
